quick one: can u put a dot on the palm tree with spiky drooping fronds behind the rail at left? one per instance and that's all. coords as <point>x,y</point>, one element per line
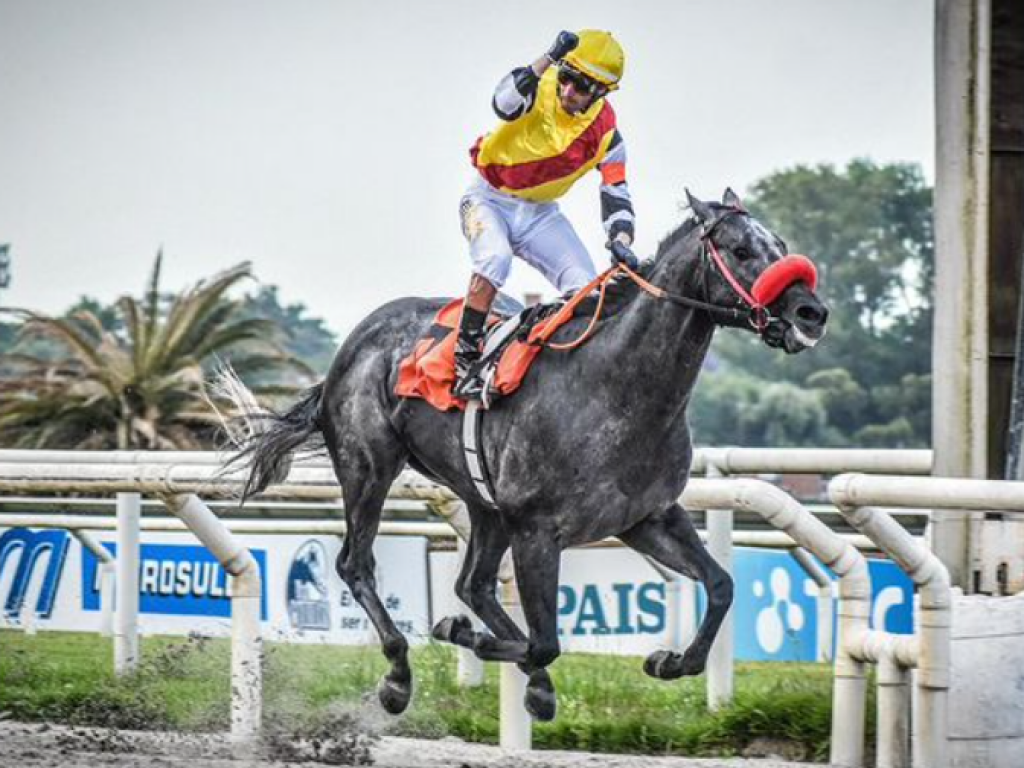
<point>143,385</point>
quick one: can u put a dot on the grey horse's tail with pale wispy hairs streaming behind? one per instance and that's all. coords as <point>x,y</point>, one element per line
<point>267,440</point>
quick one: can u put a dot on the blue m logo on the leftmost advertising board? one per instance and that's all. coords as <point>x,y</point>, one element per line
<point>30,547</point>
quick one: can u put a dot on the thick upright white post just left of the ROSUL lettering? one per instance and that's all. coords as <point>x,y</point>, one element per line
<point>126,632</point>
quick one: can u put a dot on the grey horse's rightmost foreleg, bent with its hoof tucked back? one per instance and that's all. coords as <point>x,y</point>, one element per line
<point>670,538</point>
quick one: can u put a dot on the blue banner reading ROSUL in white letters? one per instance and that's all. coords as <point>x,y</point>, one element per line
<point>175,580</point>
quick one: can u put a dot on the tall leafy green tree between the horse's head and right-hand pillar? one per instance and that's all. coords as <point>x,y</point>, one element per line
<point>869,230</point>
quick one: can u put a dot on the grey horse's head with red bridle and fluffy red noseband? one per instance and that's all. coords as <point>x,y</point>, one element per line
<point>747,270</point>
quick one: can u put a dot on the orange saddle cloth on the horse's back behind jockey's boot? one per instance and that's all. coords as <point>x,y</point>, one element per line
<point>429,372</point>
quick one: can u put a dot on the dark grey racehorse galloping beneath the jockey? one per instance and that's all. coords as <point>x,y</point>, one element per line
<point>594,445</point>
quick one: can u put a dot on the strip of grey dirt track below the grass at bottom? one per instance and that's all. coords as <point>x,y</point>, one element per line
<point>34,746</point>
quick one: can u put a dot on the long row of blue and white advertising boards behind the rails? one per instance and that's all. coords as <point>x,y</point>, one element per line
<point>610,601</point>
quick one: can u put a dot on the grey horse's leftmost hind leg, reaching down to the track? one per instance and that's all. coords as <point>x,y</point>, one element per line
<point>366,470</point>
